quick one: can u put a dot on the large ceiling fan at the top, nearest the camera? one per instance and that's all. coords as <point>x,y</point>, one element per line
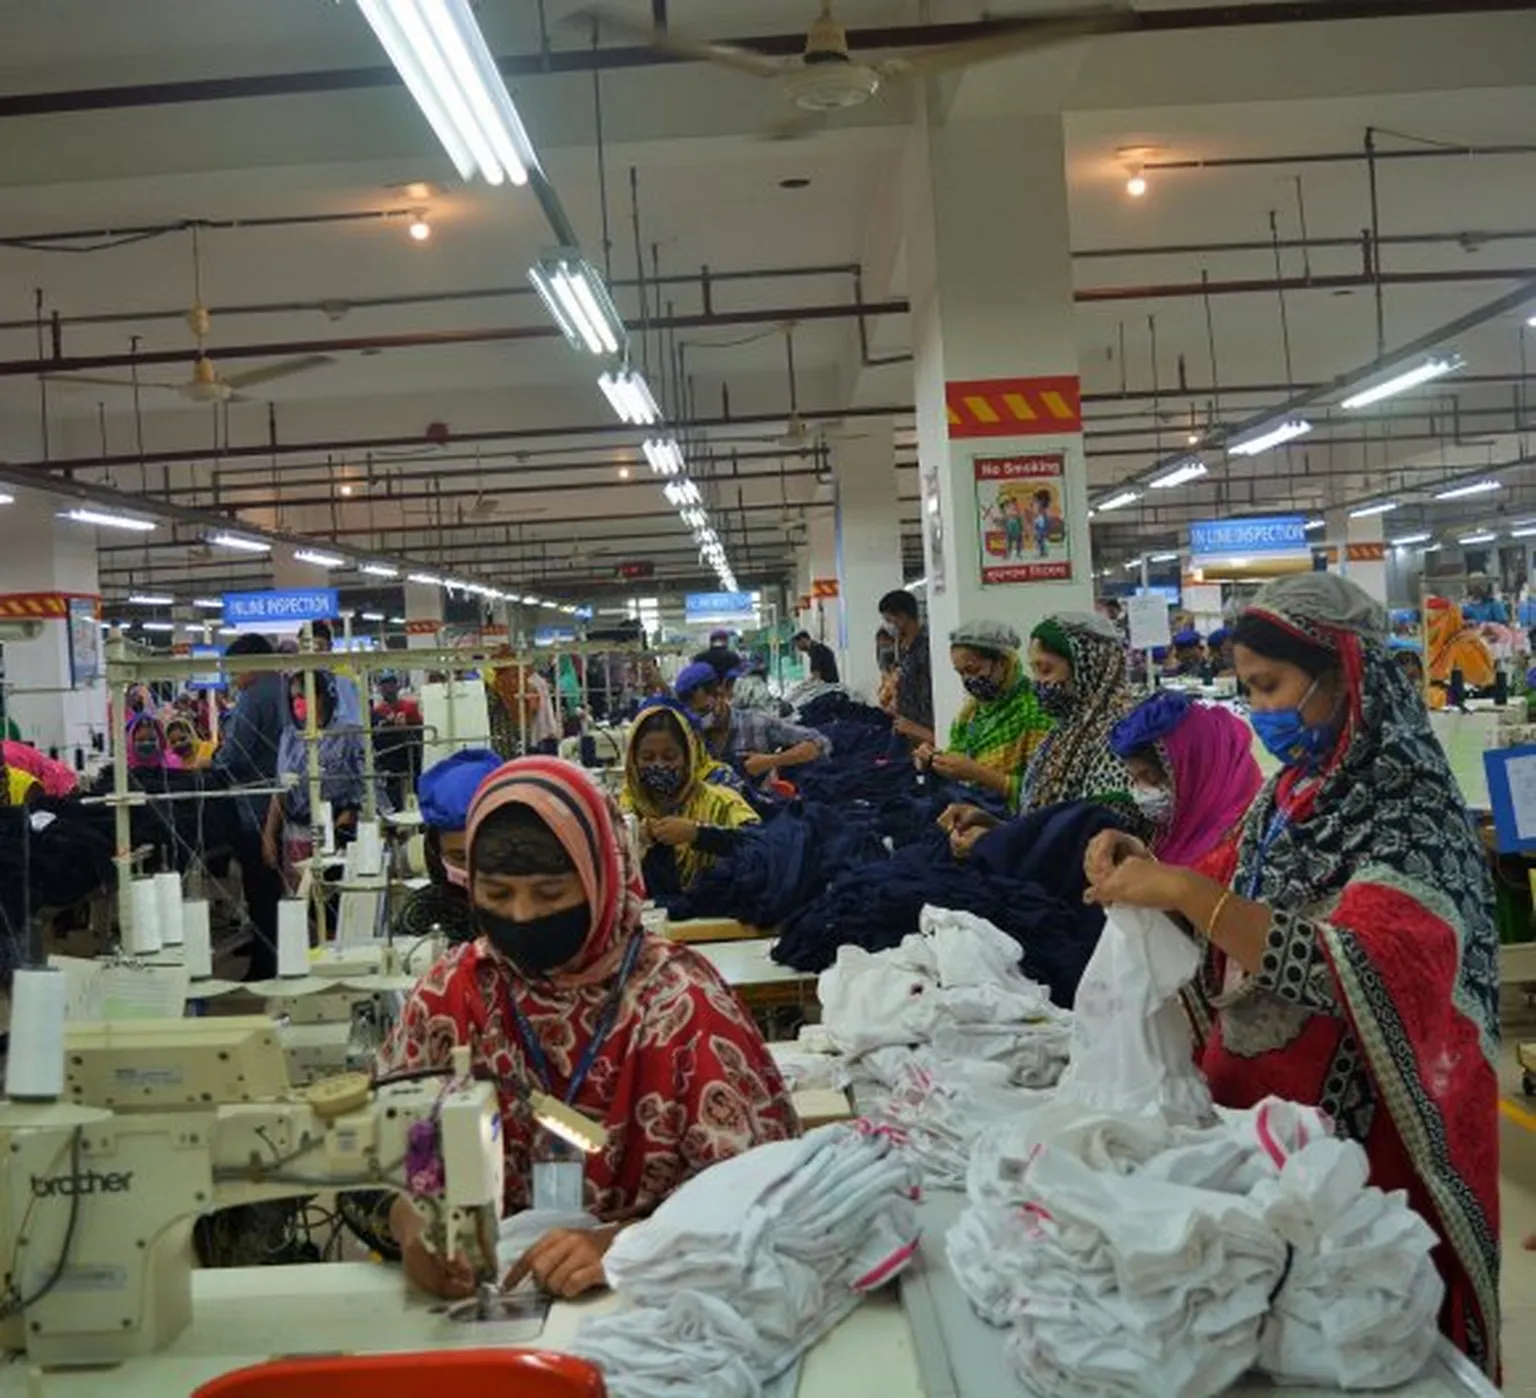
<point>829,78</point>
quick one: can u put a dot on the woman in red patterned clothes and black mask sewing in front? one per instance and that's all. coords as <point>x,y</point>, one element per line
<point>563,989</point>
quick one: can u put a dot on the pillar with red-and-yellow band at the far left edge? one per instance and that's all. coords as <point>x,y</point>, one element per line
<point>50,557</point>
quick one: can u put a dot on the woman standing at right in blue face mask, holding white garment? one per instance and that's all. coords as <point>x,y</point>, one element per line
<point>1352,959</point>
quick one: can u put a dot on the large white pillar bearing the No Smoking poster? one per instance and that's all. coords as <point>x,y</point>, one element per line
<point>996,374</point>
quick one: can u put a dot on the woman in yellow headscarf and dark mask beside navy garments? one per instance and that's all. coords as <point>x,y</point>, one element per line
<point>687,821</point>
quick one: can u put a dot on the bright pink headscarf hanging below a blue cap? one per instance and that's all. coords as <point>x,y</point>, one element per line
<point>1211,761</point>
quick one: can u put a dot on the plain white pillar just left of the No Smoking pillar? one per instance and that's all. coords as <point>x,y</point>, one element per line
<point>869,546</point>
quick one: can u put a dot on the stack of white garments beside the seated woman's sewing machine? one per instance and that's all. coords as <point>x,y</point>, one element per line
<point>750,1264</point>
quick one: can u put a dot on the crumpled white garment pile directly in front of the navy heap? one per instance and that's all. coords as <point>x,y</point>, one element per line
<point>956,989</point>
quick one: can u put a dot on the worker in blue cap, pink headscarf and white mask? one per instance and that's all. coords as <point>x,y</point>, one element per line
<point>1194,774</point>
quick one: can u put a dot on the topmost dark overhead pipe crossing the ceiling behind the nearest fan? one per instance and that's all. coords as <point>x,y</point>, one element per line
<point>581,61</point>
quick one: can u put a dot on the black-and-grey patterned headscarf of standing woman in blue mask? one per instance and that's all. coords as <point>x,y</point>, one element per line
<point>1388,797</point>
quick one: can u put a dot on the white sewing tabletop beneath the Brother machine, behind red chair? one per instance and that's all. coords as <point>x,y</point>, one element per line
<point>247,1316</point>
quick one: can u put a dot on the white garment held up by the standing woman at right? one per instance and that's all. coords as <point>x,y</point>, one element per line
<point>1131,1042</point>
